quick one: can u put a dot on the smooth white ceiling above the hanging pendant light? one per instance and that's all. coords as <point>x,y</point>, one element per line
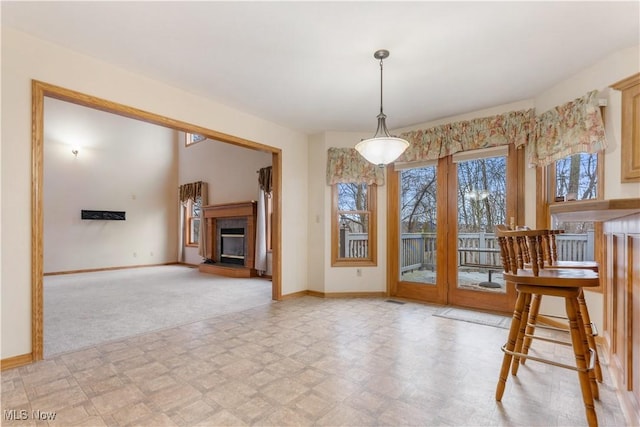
<point>309,66</point>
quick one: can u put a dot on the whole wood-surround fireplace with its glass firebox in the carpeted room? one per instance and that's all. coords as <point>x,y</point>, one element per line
<point>230,243</point>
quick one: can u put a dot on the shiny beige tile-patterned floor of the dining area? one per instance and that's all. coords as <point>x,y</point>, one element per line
<point>306,361</point>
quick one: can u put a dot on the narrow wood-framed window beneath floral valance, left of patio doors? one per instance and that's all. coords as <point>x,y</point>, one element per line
<point>353,225</point>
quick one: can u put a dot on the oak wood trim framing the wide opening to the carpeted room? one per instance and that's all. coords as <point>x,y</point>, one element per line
<point>40,90</point>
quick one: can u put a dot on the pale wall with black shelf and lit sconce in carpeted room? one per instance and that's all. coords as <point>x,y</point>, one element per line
<point>122,165</point>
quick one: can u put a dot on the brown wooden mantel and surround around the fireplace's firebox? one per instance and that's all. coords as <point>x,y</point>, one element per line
<point>212,214</point>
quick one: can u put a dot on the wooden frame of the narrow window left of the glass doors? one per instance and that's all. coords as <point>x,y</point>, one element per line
<point>372,209</point>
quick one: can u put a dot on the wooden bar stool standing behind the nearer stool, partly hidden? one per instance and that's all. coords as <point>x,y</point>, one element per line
<point>549,259</point>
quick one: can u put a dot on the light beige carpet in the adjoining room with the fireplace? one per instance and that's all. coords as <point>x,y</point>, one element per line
<point>85,309</point>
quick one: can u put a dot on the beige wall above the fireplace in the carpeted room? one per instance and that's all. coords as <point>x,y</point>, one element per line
<point>229,170</point>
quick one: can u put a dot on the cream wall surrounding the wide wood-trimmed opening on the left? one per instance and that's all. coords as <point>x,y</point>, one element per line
<point>25,58</point>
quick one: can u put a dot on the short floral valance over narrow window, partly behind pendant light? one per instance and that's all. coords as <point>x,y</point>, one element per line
<point>346,165</point>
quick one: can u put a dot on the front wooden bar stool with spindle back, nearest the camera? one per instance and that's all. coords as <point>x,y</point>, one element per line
<point>565,283</point>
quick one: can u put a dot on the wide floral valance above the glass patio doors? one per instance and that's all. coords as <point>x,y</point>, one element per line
<point>444,140</point>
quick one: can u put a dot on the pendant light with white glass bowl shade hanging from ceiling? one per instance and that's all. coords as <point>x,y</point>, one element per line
<point>382,148</point>
